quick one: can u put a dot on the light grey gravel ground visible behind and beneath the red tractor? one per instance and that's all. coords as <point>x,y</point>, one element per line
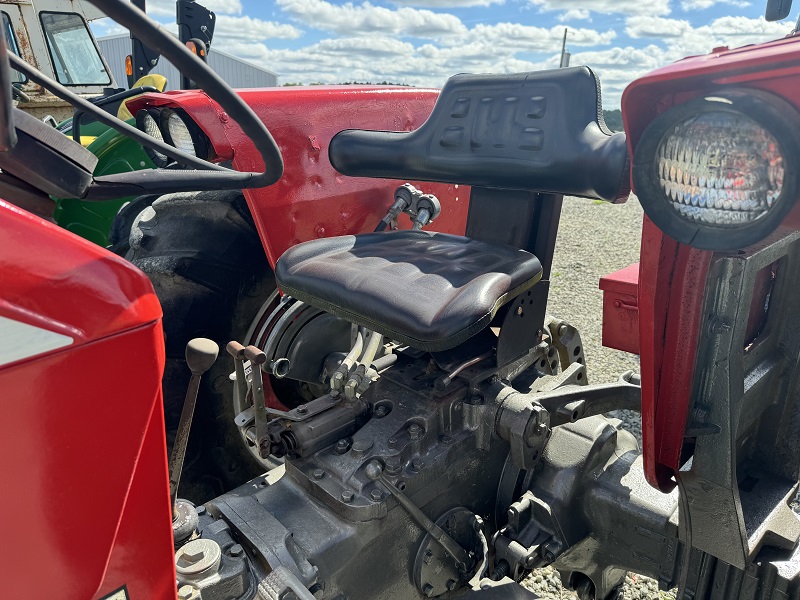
<point>594,239</point>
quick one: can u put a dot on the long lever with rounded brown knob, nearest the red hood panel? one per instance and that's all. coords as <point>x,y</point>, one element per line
<point>200,355</point>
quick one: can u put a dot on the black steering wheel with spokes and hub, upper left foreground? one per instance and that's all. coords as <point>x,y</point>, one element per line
<point>26,144</point>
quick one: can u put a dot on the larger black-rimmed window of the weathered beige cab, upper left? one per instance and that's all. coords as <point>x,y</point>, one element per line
<point>75,57</point>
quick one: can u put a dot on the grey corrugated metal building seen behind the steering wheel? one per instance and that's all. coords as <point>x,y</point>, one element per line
<point>236,72</point>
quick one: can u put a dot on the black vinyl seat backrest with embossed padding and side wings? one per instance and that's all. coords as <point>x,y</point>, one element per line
<point>541,131</point>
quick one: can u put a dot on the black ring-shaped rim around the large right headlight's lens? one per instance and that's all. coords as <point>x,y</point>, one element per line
<point>773,114</point>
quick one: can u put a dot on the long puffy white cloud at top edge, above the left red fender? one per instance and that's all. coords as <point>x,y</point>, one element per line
<point>368,19</point>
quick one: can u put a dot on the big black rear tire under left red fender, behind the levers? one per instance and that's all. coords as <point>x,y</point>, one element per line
<point>206,262</point>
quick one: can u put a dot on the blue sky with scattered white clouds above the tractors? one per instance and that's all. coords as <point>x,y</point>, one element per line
<point>423,42</point>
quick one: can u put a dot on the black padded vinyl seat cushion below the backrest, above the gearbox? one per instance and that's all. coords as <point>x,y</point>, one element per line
<point>429,290</point>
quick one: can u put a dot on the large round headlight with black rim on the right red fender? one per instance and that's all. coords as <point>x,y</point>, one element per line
<point>719,173</point>
